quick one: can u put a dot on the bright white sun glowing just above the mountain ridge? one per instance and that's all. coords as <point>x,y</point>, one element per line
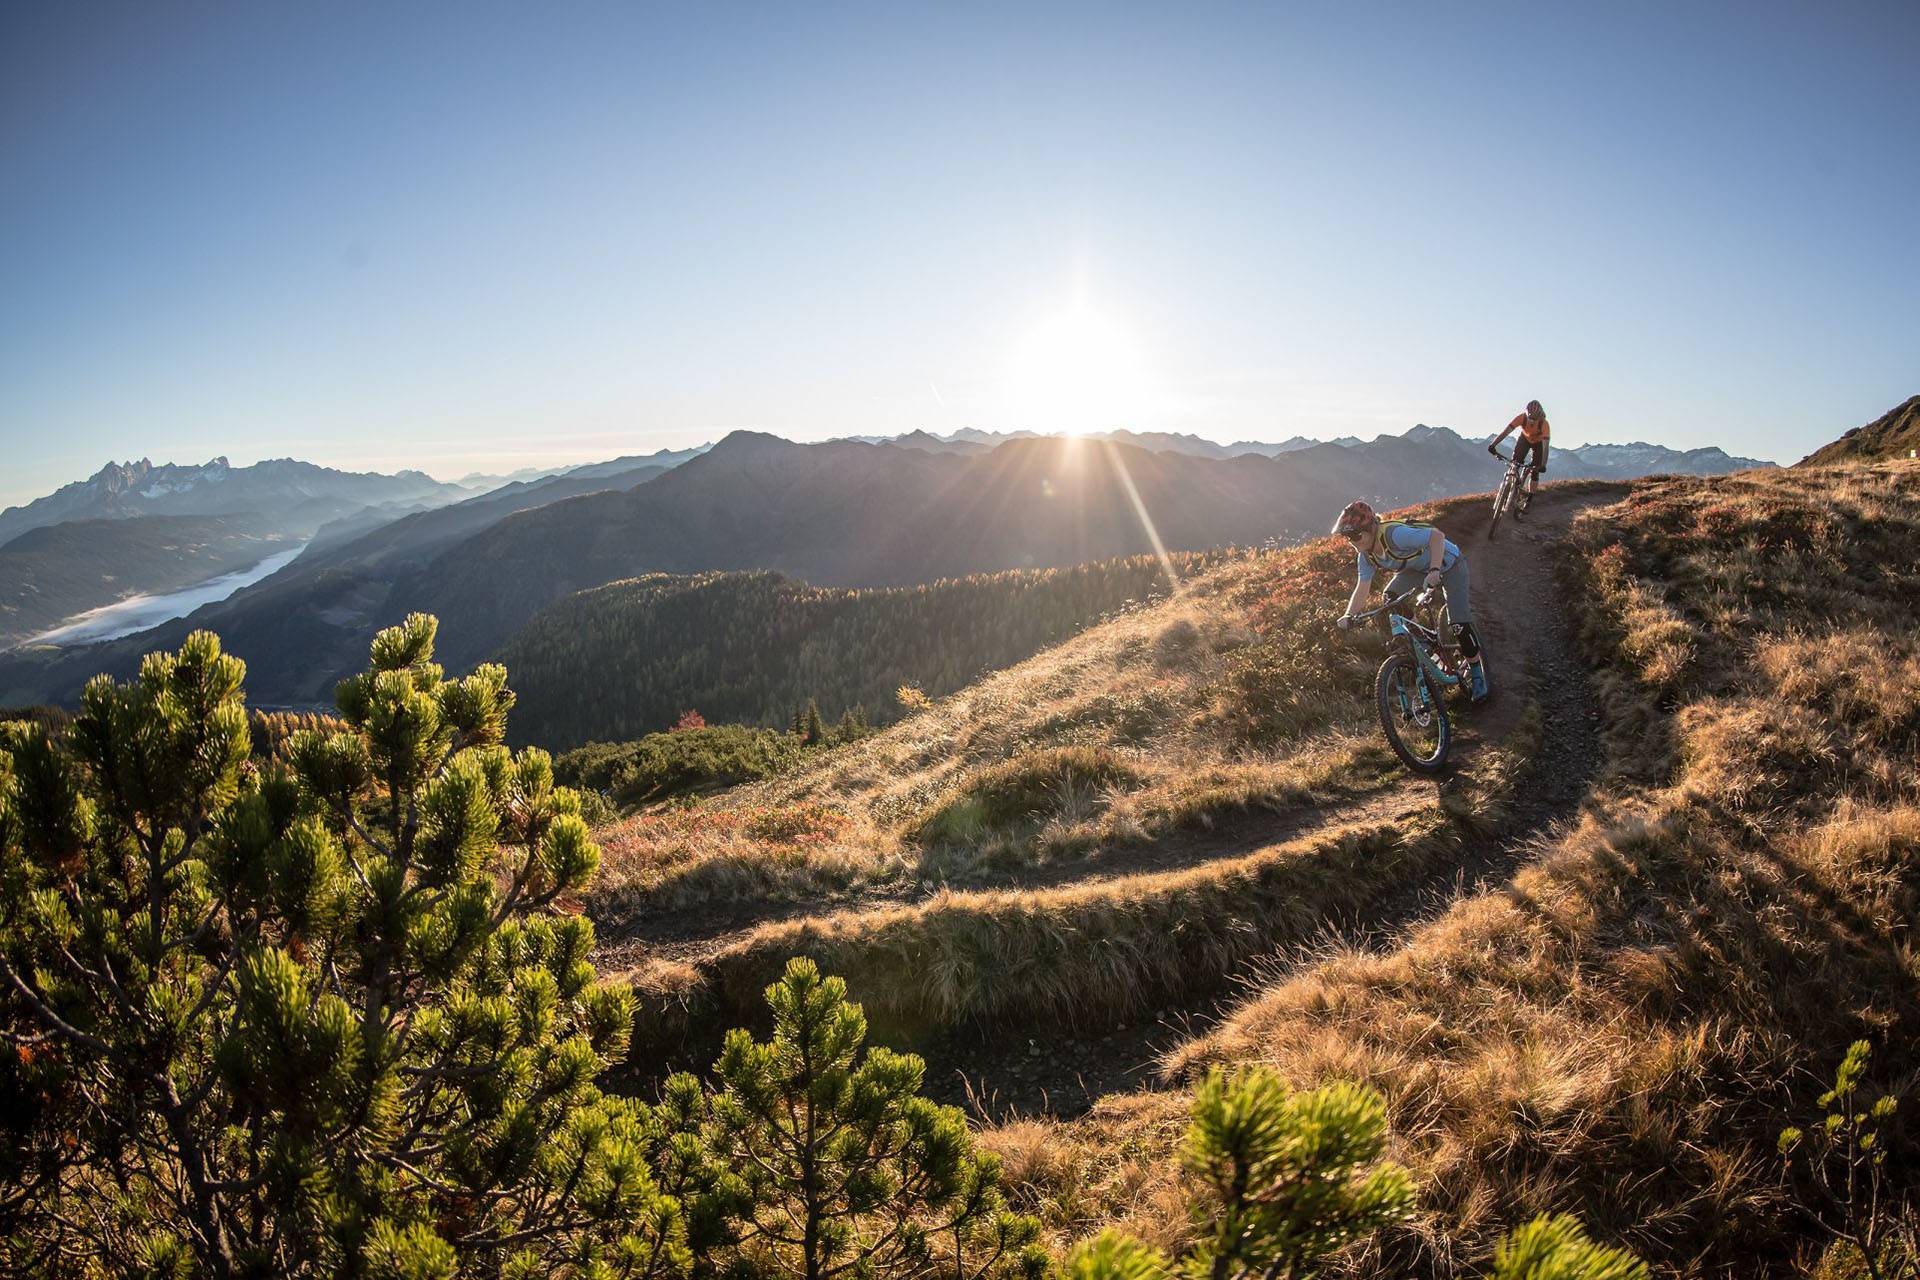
<point>1076,373</point>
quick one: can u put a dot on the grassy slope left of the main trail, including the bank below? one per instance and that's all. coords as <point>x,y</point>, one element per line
<point>1145,788</point>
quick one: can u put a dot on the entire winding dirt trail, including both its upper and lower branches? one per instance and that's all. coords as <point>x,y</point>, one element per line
<point>999,1072</point>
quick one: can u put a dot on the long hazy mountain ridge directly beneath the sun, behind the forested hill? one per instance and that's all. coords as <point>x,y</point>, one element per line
<point>840,513</point>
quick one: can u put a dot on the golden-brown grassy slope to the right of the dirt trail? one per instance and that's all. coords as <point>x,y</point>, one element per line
<point>1625,1030</point>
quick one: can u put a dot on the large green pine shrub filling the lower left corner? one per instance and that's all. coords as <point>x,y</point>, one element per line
<point>316,1018</point>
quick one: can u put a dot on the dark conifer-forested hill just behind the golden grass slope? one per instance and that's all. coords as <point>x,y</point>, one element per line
<point>625,659</point>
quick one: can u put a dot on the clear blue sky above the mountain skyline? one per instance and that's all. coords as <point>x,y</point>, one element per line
<point>477,237</point>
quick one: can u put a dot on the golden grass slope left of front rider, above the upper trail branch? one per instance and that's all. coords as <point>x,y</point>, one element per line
<point>1226,698</point>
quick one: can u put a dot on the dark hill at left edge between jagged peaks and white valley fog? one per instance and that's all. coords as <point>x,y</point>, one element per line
<point>53,573</point>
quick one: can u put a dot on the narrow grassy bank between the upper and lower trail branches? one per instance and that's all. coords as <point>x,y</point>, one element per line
<point>1095,953</point>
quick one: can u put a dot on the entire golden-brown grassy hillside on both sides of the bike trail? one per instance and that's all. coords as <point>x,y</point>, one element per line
<point>1596,972</point>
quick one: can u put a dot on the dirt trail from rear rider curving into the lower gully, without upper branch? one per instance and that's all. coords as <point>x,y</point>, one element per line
<point>1529,636</point>
